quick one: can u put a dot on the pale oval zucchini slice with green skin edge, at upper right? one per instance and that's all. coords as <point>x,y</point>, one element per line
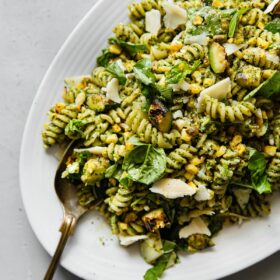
<point>217,57</point>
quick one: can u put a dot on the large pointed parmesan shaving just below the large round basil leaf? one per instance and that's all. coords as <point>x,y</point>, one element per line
<point>172,188</point>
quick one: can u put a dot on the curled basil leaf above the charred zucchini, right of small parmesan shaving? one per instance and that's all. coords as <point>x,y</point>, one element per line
<point>143,72</point>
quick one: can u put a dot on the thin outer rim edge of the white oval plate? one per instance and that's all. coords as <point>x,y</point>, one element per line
<point>24,139</point>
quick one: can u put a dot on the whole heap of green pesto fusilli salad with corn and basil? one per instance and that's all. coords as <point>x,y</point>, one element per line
<point>178,125</point>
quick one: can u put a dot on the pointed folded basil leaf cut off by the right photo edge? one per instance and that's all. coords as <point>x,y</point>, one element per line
<point>267,89</point>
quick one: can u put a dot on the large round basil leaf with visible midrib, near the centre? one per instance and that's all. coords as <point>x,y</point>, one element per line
<point>145,164</point>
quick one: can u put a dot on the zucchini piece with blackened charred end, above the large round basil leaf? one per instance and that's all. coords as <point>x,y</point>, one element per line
<point>160,116</point>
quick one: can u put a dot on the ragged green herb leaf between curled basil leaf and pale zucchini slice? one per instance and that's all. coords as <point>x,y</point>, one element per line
<point>180,71</point>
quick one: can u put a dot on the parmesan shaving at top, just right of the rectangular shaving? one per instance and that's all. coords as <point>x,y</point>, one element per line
<point>175,15</point>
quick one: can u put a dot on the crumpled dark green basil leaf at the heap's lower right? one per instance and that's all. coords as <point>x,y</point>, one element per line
<point>257,166</point>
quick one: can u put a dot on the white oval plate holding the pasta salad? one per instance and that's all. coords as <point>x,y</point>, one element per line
<point>93,253</point>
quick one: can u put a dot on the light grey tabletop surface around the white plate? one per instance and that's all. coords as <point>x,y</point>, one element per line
<point>31,33</point>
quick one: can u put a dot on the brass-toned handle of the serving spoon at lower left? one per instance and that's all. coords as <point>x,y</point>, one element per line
<point>66,229</point>
